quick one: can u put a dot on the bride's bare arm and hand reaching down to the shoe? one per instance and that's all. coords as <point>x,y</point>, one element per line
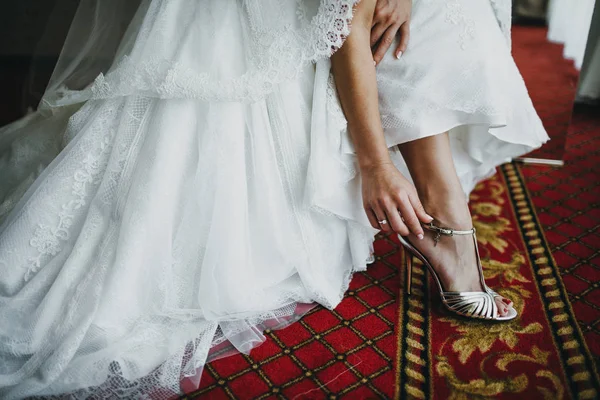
<point>387,195</point>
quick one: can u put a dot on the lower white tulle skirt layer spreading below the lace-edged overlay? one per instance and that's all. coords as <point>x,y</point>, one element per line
<point>165,222</point>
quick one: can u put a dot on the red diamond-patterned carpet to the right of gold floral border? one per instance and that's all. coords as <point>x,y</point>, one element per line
<point>567,201</point>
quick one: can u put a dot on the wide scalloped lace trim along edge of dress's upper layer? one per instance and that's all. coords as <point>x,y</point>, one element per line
<point>278,55</point>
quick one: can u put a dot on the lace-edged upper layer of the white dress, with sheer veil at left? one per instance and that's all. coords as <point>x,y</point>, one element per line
<point>271,40</point>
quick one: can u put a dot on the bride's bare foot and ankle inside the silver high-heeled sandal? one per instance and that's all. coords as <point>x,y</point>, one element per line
<point>453,258</point>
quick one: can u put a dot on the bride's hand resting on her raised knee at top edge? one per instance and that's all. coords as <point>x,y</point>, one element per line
<point>391,17</point>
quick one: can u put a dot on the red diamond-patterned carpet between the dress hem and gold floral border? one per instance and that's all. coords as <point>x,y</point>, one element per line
<point>345,353</point>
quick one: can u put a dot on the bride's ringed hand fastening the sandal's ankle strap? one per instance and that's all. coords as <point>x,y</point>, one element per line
<point>388,195</point>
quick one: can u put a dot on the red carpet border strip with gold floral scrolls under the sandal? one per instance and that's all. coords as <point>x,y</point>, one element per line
<point>540,354</point>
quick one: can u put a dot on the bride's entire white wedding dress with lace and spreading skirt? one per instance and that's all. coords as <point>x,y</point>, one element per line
<point>204,186</point>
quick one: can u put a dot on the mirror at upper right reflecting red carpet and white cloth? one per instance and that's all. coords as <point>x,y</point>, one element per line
<point>549,44</point>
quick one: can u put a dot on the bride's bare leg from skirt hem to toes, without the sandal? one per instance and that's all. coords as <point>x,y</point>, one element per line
<point>431,166</point>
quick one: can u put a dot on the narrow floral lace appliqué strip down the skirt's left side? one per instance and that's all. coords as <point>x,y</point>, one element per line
<point>47,240</point>
